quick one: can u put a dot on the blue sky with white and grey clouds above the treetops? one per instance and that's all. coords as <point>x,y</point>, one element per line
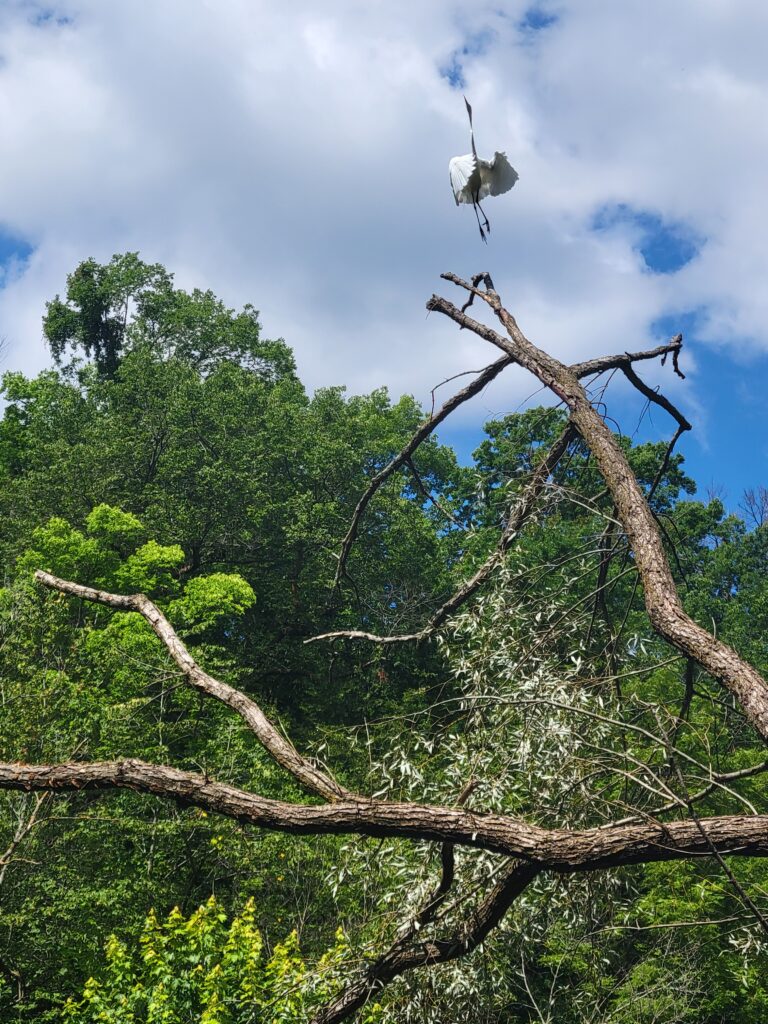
<point>295,156</point>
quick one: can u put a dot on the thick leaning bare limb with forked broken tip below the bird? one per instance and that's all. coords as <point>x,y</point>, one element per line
<point>662,601</point>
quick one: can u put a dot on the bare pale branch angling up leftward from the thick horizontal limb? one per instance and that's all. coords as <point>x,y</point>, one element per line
<point>281,749</point>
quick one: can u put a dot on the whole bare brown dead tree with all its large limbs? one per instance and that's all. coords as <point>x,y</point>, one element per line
<point>529,848</point>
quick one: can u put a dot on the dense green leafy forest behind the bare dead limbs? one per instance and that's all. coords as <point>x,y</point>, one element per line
<point>174,451</point>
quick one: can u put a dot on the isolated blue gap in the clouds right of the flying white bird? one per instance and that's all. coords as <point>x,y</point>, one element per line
<point>665,246</point>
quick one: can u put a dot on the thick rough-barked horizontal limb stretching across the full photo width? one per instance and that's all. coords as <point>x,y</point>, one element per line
<point>560,850</point>
